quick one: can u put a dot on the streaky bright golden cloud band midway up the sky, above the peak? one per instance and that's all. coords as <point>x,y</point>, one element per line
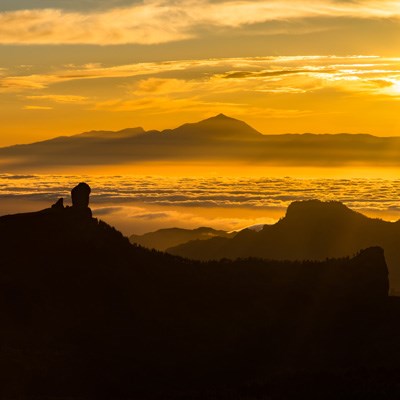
<point>145,85</point>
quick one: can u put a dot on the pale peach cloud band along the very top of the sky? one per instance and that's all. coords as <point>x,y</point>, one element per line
<point>160,21</point>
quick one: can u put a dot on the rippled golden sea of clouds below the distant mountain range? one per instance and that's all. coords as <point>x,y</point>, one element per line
<point>139,204</point>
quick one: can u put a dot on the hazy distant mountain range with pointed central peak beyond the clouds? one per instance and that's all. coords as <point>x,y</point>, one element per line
<point>217,139</point>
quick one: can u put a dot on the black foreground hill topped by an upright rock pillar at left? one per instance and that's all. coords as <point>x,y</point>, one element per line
<point>85,314</point>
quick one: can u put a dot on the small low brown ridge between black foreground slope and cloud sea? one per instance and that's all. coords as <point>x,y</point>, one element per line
<point>162,239</point>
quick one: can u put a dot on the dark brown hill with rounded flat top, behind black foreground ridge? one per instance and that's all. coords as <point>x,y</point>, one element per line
<point>310,230</point>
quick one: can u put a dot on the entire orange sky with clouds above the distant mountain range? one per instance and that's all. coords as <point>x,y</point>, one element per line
<point>282,66</point>
